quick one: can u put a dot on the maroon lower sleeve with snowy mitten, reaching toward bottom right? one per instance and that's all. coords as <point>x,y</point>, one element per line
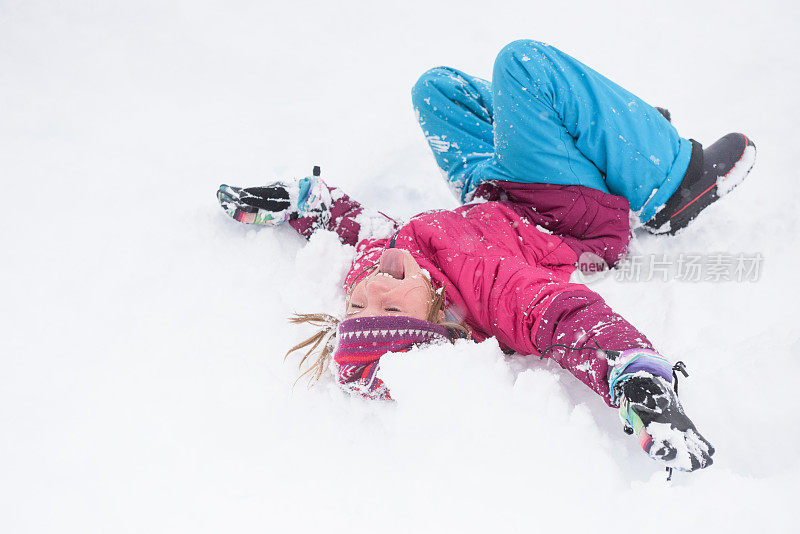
<point>628,373</point>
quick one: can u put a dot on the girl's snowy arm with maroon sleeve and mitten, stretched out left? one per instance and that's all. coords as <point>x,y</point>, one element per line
<point>308,204</point>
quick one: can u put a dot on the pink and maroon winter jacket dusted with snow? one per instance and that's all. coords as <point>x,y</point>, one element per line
<point>505,265</point>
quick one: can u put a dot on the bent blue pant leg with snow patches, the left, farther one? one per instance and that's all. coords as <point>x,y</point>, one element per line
<point>455,113</point>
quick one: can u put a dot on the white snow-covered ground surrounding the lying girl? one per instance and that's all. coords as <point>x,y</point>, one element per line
<point>142,387</point>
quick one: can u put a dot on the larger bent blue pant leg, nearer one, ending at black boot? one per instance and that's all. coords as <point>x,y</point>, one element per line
<point>558,121</point>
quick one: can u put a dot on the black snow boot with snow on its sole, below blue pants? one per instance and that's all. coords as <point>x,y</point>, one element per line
<point>712,173</point>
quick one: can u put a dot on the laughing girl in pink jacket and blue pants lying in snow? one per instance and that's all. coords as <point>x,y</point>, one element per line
<point>559,155</point>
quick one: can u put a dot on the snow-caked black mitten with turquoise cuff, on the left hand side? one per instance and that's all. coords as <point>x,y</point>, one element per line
<point>277,202</point>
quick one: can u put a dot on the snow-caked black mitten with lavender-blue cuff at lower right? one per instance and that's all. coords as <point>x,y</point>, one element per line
<point>641,382</point>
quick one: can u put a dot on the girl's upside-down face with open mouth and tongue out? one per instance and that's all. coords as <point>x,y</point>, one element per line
<point>397,287</point>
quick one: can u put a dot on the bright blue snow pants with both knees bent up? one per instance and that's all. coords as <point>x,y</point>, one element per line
<point>547,118</point>
